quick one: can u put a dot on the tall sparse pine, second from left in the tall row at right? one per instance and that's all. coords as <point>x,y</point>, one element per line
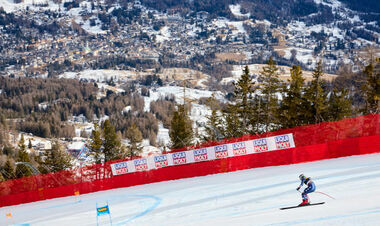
<point>270,85</point>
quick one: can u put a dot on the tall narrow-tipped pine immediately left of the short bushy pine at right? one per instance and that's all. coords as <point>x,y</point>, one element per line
<point>316,97</point>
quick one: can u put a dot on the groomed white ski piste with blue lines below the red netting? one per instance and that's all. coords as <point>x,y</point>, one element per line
<point>249,197</point>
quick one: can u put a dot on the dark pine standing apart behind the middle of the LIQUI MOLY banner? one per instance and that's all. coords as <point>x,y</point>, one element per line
<point>181,130</point>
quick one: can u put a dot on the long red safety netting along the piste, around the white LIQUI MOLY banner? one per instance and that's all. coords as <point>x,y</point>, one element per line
<point>354,136</point>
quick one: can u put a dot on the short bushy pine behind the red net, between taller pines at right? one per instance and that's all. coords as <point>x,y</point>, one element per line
<point>339,105</point>
